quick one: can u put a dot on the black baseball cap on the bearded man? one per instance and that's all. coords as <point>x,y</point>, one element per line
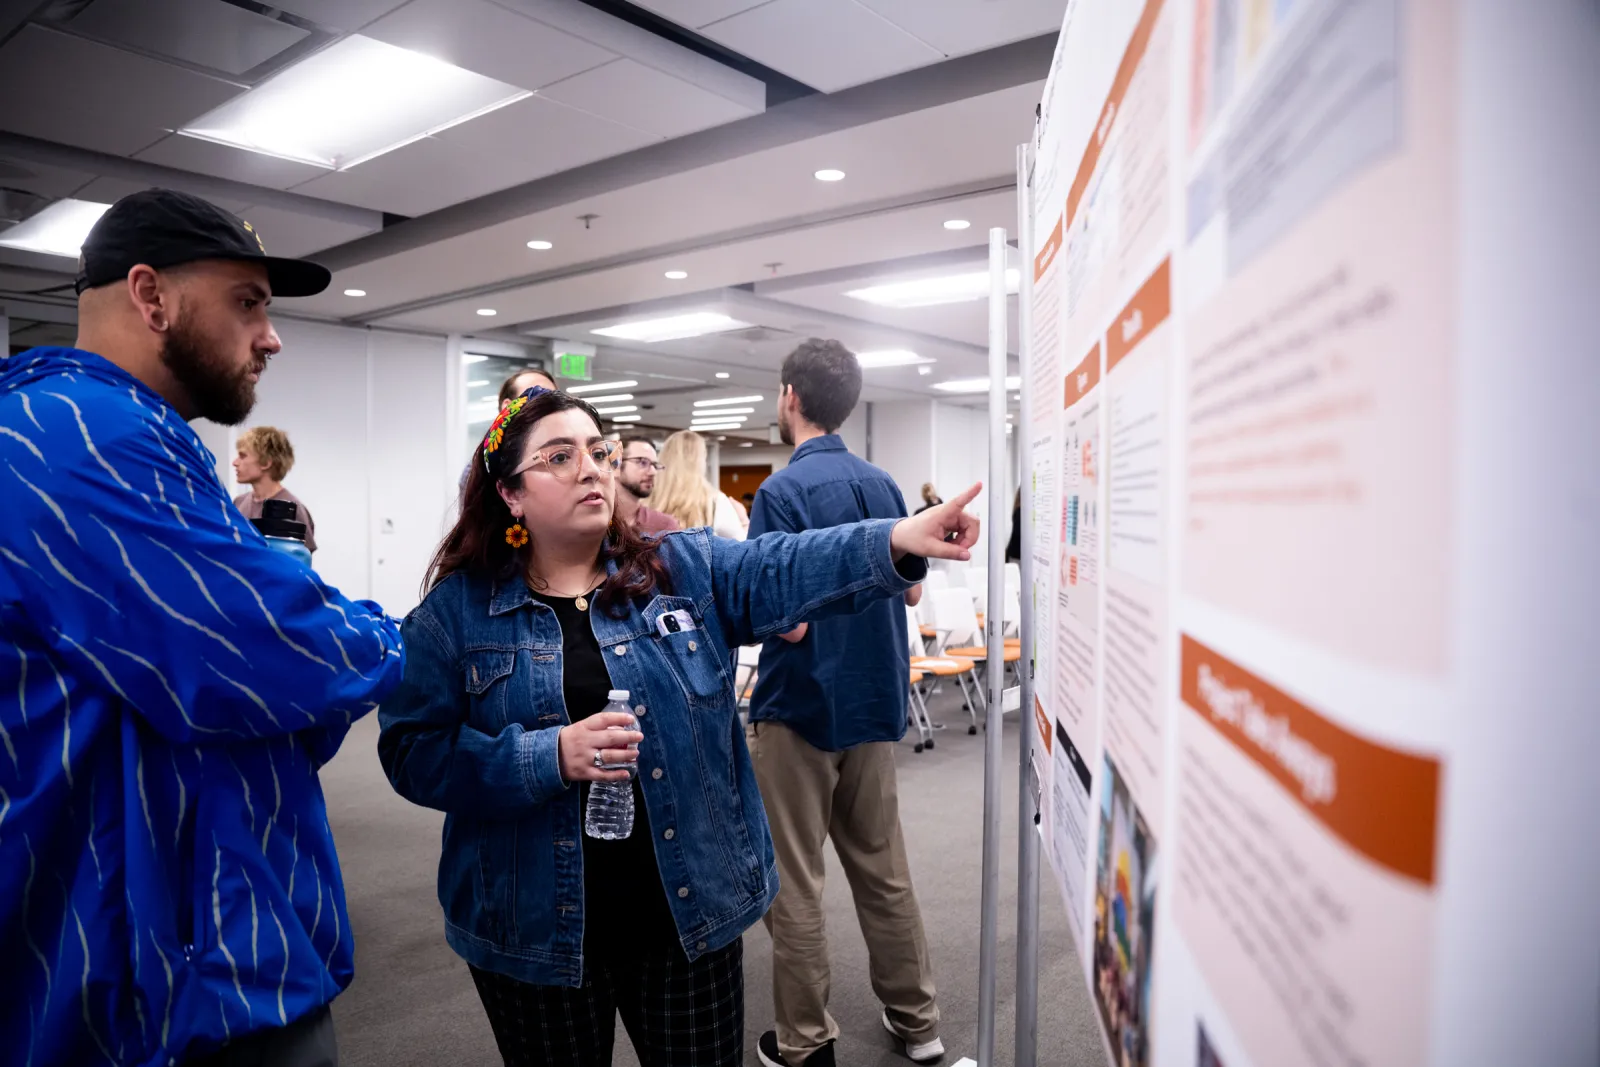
<point>162,228</point>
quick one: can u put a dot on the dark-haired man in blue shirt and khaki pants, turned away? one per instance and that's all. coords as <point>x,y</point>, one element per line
<point>828,709</point>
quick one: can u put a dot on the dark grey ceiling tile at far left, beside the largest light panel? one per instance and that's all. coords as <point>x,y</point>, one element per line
<point>74,92</point>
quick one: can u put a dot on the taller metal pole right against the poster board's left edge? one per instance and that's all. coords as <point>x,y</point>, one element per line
<point>1026,807</point>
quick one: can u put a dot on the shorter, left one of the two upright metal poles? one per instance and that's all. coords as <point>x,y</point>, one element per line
<point>988,945</point>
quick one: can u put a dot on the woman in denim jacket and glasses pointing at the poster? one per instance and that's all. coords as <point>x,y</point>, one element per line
<point>540,605</point>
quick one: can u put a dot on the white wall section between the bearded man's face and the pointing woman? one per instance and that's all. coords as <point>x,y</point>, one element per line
<point>369,417</point>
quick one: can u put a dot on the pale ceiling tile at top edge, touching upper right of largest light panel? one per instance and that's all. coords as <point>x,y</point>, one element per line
<point>490,41</point>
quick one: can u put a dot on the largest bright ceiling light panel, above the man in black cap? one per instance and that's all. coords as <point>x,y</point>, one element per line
<point>350,103</point>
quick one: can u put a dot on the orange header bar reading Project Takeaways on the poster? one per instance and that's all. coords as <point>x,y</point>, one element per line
<point>1378,801</point>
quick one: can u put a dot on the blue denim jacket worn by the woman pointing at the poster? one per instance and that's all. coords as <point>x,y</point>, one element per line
<point>473,732</point>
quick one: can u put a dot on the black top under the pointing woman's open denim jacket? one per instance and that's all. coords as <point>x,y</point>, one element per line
<point>625,901</point>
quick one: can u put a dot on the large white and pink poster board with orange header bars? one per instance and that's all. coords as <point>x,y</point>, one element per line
<point>1258,553</point>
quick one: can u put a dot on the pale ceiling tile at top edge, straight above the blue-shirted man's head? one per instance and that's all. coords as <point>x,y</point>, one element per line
<point>826,44</point>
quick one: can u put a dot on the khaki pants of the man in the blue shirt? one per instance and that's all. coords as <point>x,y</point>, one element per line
<point>852,797</point>
